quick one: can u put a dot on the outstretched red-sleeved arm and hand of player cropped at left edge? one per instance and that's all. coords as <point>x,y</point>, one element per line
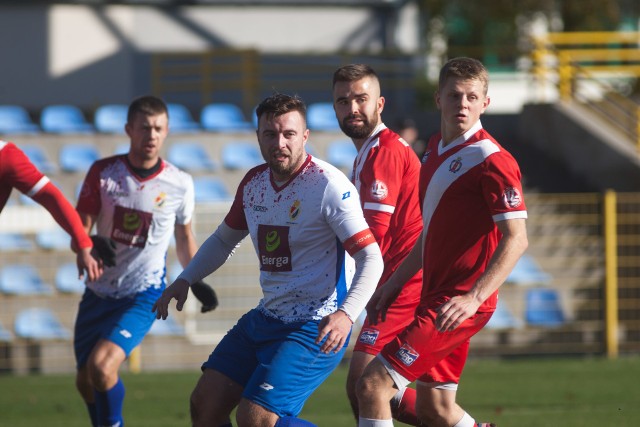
<point>17,171</point>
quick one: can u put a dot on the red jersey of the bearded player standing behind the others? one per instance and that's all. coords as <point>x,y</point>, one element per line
<point>386,174</point>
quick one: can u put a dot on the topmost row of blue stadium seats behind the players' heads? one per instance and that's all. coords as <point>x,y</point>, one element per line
<point>65,119</point>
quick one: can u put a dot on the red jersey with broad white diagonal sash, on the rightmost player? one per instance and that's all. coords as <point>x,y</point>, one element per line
<point>465,188</point>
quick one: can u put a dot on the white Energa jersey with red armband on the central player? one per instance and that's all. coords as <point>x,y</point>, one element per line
<point>297,230</point>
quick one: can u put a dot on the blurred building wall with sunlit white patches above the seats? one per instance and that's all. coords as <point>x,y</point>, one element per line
<point>89,55</point>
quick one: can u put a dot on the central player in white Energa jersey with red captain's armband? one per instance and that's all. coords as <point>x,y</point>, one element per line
<point>308,230</point>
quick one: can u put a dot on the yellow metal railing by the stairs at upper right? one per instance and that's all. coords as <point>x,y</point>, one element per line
<point>587,67</point>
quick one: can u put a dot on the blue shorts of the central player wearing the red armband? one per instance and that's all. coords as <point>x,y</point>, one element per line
<point>278,364</point>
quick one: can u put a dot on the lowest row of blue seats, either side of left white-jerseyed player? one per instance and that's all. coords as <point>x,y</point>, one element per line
<point>42,323</point>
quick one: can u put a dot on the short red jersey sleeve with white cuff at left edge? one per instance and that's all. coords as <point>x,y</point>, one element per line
<point>16,170</point>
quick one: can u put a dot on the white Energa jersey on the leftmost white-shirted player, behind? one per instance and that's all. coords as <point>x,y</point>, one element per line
<point>139,214</point>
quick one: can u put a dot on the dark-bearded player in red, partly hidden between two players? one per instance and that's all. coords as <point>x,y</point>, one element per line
<point>385,173</point>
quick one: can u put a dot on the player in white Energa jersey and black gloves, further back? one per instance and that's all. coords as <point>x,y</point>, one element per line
<point>136,201</point>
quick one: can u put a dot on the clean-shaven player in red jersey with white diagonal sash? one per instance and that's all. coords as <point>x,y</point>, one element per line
<point>474,232</point>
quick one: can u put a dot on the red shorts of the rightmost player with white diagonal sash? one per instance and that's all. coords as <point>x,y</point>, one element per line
<point>423,353</point>
